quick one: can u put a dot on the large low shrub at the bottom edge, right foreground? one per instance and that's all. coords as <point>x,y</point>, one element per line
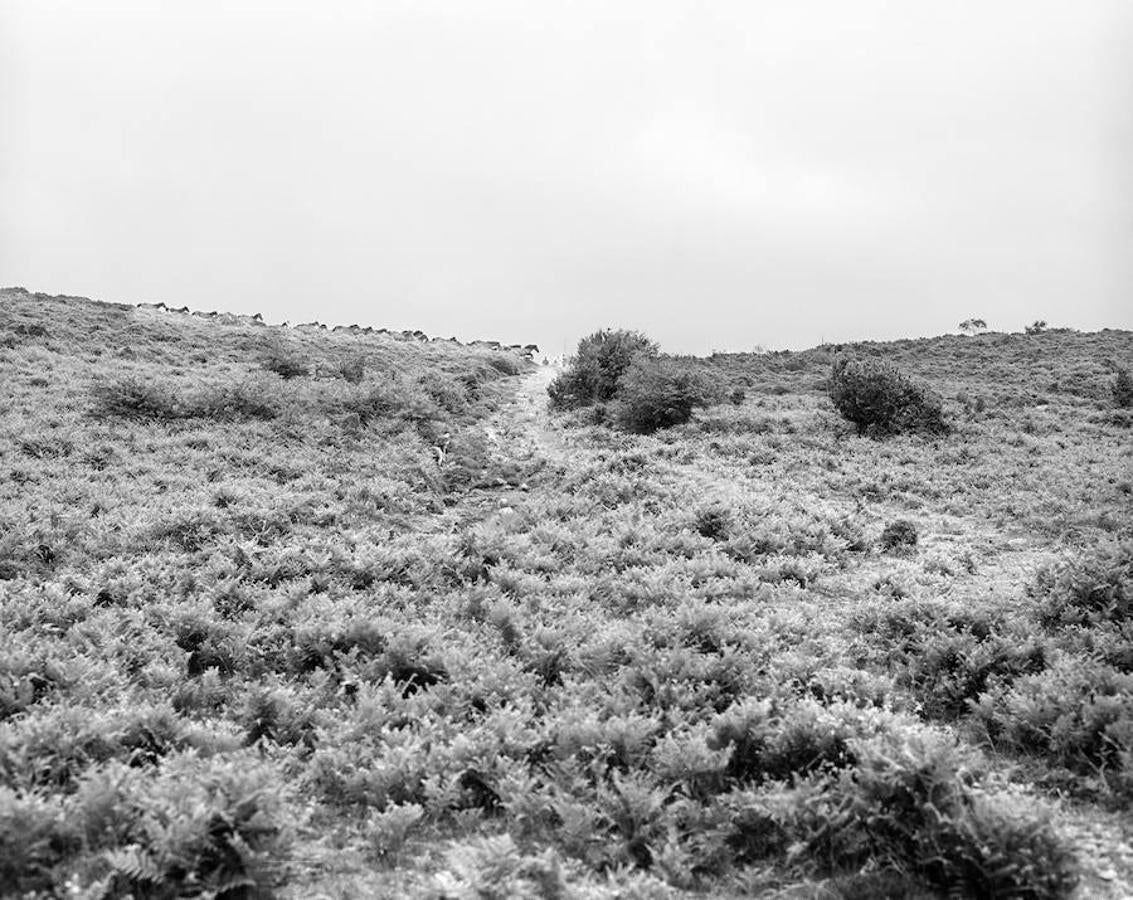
<point>906,806</point>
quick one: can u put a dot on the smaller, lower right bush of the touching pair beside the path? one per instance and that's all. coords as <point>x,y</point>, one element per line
<point>658,395</point>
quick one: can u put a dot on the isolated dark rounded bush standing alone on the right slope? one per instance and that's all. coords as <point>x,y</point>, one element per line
<point>881,400</point>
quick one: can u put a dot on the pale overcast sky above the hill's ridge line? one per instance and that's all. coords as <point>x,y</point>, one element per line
<point>720,175</point>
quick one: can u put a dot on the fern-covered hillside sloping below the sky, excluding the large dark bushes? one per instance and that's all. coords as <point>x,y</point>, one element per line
<point>335,614</point>
